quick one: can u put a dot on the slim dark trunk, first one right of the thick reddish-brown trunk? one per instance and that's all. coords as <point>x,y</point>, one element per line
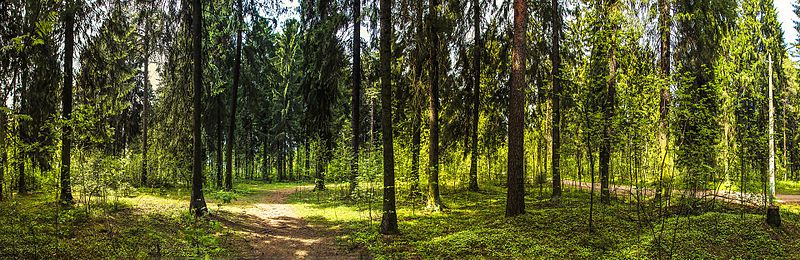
<point>555,57</point>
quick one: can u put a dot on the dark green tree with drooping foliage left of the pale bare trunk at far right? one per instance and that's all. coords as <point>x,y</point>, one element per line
<point>700,26</point>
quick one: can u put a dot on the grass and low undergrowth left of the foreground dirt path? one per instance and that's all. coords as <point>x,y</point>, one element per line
<point>148,223</point>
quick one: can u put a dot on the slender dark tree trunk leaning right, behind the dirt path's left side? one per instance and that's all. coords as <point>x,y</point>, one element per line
<point>236,73</point>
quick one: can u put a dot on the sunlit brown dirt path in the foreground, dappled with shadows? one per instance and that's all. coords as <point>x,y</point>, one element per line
<point>272,229</point>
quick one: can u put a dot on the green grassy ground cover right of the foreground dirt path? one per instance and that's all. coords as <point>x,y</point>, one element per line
<point>474,226</point>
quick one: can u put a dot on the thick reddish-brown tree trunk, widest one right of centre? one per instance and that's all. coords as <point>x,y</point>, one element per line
<point>515,198</point>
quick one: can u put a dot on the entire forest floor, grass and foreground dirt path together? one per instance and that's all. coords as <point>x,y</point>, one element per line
<point>290,221</point>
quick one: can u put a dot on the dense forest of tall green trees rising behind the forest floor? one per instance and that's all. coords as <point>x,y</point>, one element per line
<point>680,102</point>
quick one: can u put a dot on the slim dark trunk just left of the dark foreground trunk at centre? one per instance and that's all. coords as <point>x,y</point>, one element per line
<point>356,95</point>
